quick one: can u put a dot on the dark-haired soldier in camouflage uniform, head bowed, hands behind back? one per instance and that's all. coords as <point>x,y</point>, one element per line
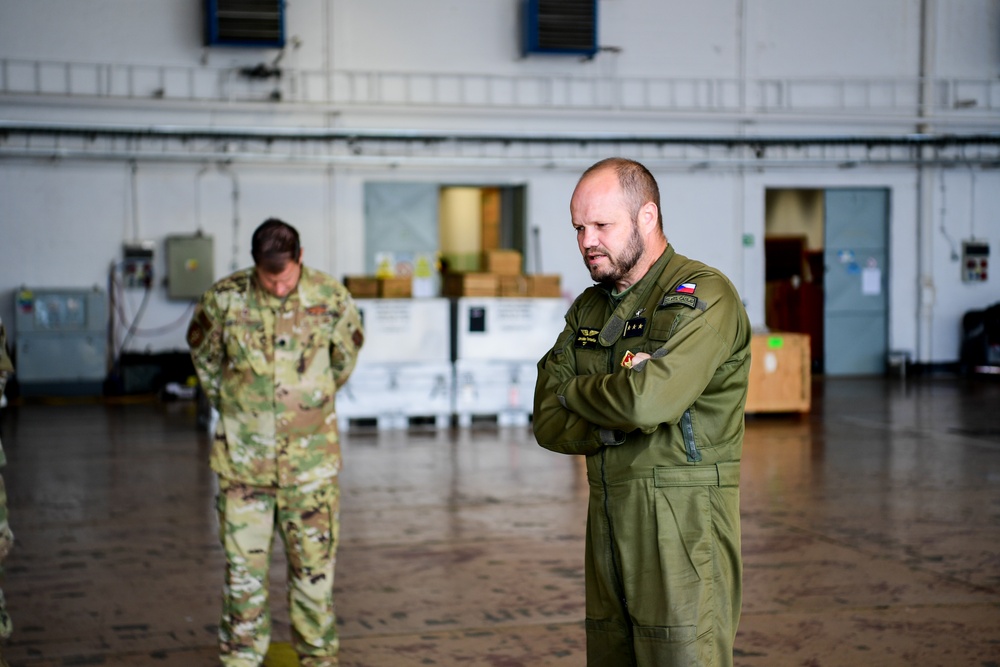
<point>271,346</point>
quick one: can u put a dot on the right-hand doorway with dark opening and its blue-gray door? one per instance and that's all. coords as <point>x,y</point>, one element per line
<point>826,264</point>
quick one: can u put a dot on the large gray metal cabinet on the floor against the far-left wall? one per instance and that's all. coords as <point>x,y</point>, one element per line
<point>62,340</point>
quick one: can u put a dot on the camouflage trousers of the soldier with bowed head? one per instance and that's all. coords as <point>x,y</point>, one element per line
<point>307,517</point>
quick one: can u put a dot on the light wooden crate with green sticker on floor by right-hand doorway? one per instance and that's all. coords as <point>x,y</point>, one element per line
<point>780,374</point>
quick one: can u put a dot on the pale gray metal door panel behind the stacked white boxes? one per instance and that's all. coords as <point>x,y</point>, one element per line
<point>402,219</point>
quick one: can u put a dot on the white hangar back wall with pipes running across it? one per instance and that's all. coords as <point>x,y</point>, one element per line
<point>725,68</point>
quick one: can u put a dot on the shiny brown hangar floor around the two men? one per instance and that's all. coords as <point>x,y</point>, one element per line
<point>871,537</point>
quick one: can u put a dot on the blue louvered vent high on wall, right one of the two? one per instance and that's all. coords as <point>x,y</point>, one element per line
<point>560,26</point>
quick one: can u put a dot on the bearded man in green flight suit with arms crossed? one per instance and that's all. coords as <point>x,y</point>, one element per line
<point>649,380</point>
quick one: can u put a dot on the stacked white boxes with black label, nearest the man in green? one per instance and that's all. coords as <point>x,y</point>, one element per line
<point>496,343</point>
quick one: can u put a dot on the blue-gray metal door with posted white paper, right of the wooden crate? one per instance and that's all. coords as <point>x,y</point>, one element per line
<point>856,258</point>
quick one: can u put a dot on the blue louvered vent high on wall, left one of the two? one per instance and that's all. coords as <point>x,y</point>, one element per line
<point>245,23</point>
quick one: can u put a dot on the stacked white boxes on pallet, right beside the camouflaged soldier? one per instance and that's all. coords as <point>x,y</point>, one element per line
<point>404,373</point>
